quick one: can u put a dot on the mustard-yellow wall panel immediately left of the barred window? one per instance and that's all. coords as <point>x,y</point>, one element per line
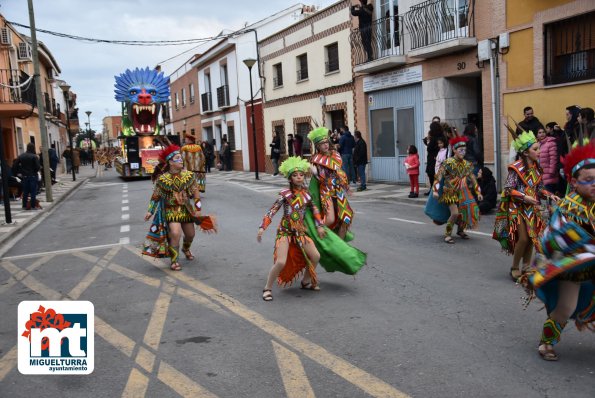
<point>519,60</point>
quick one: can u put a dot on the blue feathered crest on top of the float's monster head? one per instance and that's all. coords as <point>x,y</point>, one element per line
<point>147,78</point>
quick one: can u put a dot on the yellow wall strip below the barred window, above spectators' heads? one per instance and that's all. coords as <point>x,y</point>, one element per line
<point>549,104</point>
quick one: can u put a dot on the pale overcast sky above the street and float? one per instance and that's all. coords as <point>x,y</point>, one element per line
<point>90,68</point>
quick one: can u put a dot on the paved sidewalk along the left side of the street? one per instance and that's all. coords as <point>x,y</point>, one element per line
<point>60,190</point>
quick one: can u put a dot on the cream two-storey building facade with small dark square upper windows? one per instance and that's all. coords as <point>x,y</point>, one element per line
<point>308,77</point>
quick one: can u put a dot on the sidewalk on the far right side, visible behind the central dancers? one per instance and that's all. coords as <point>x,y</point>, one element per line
<point>377,191</point>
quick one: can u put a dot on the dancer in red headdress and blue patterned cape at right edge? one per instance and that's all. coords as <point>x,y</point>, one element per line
<point>563,274</point>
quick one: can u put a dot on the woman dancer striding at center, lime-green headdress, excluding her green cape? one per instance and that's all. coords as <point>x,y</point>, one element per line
<point>295,253</point>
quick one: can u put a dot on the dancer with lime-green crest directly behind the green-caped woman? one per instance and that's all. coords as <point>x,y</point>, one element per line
<point>330,183</point>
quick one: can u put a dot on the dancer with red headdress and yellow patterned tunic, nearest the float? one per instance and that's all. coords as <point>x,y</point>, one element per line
<point>176,205</point>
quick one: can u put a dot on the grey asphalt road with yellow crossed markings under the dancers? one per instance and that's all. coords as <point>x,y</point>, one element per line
<point>422,319</point>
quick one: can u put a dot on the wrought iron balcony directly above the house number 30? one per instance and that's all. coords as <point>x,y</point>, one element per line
<point>438,27</point>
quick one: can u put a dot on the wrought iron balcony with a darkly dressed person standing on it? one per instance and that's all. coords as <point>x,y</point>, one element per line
<point>378,47</point>
